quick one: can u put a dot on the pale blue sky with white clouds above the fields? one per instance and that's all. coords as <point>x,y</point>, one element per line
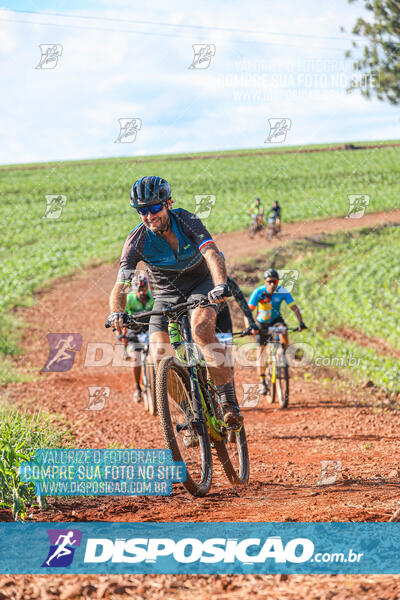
<point>133,61</point>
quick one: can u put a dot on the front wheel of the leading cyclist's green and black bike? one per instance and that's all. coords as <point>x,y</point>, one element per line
<point>176,415</point>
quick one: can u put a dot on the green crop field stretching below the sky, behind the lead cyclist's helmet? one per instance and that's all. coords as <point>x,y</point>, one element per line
<point>97,216</point>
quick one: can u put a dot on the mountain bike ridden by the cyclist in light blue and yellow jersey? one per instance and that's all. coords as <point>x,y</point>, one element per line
<point>277,368</point>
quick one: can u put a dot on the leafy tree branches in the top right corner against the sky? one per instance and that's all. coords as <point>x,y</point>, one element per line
<point>381,55</point>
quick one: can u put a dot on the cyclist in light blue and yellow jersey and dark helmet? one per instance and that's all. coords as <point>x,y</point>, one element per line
<point>268,299</point>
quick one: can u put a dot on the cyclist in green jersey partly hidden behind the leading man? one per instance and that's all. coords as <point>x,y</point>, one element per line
<point>137,301</point>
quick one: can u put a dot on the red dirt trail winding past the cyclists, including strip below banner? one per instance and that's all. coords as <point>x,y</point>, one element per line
<point>327,419</point>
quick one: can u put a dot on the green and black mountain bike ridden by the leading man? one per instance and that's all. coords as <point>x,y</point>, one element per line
<point>191,418</point>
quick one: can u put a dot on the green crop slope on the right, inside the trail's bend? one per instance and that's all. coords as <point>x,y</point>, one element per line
<point>353,281</point>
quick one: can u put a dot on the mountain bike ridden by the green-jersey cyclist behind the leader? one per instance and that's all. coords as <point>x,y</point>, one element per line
<point>148,370</point>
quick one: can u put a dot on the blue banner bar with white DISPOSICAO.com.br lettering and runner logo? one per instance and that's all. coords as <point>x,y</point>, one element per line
<point>194,548</point>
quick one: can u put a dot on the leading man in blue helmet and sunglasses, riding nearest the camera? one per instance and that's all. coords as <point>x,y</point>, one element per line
<point>186,265</point>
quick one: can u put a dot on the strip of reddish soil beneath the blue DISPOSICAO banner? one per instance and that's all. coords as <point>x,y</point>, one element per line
<point>203,587</point>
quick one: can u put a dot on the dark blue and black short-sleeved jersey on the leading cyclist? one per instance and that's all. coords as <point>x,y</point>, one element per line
<point>172,273</point>
